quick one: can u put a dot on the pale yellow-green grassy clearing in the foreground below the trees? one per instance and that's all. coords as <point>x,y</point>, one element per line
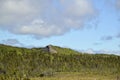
<point>78,76</point>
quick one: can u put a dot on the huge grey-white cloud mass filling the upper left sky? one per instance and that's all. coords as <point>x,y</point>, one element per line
<point>44,18</point>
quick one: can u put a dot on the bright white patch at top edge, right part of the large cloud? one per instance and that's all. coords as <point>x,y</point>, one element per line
<point>78,8</point>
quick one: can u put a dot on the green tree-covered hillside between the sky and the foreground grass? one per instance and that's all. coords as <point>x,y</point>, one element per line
<point>16,62</point>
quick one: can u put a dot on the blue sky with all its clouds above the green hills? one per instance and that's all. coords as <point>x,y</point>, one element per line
<point>91,26</point>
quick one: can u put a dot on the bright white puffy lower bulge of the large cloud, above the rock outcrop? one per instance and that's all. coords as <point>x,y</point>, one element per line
<point>39,28</point>
